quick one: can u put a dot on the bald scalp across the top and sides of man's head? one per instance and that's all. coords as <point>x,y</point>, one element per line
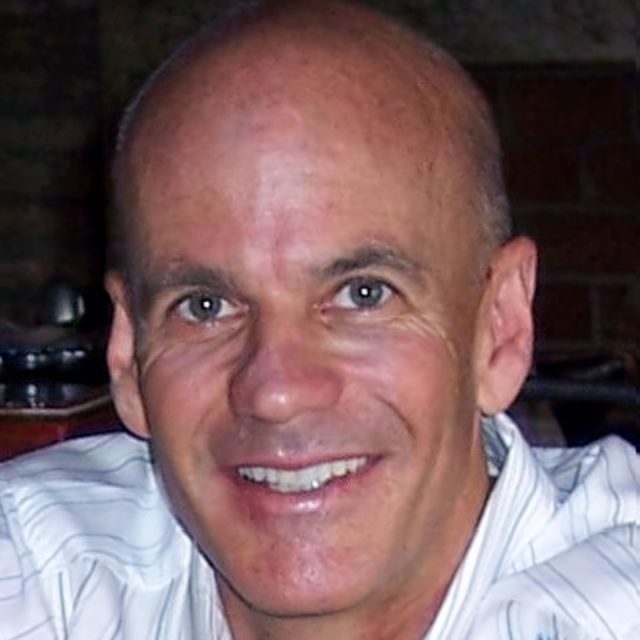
<point>338,67</point>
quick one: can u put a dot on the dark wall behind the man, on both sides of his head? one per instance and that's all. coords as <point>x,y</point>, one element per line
<point>570,129</point>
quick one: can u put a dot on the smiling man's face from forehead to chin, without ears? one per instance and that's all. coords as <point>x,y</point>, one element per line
<point>305,351</point>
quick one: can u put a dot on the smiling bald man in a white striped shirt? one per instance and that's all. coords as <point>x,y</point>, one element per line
<point>318,320</point>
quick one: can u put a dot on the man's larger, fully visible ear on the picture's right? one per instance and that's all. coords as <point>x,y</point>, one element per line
<point>504,336</point>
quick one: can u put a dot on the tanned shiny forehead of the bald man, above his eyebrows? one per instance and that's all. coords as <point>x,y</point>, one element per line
<point>281,150</point>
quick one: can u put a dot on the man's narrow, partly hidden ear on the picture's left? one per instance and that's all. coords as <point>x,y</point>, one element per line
<point>121,360</point>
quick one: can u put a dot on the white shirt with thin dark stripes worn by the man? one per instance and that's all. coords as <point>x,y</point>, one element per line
<point>89,550</point>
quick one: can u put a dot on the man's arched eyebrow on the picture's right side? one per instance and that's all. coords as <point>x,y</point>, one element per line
<point>375,255</point>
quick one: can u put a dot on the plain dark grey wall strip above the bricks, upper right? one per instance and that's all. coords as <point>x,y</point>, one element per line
<point>526,31</point>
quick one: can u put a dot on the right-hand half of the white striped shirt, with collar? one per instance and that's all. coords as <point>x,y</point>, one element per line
<point>556,555</point>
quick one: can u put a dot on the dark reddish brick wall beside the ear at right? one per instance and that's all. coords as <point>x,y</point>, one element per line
<point>571,139</point>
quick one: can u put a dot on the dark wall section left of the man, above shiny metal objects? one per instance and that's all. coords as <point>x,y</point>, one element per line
<point>51,153</point>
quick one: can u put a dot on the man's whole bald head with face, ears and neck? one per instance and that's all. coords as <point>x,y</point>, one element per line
<point>312,209</point>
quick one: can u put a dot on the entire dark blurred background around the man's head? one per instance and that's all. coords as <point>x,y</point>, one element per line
<point>562,76</point>
